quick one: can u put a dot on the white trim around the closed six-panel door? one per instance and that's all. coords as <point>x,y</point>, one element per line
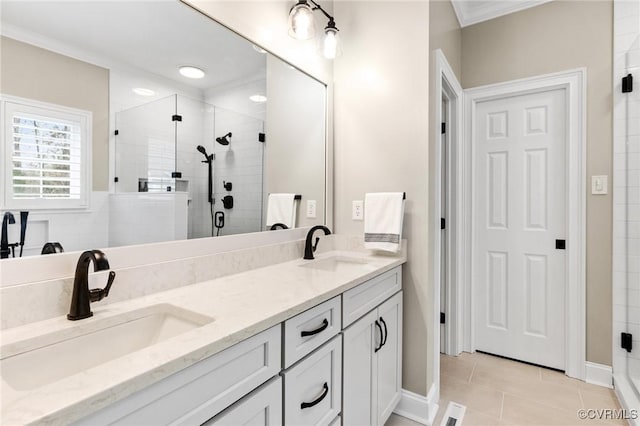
<point>574,81</point>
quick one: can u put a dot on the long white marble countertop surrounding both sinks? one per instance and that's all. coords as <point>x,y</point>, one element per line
<point>240,305</point>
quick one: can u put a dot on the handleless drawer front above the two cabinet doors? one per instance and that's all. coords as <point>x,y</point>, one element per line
<point>365,297</point>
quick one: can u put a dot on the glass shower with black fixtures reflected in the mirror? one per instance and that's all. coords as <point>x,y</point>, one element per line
<point>159,156</point>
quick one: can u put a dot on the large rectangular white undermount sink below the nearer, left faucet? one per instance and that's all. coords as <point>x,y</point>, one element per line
<point>96,342</point>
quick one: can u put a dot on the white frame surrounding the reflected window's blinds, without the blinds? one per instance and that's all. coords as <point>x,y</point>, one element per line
<point>12,104</point>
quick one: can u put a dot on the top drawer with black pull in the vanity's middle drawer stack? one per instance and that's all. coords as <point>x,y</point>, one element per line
<point>310,329</point>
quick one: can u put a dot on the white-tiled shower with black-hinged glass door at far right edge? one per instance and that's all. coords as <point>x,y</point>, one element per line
<point>626,204</point>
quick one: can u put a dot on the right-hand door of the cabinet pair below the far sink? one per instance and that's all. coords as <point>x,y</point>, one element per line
<point>389,356</point>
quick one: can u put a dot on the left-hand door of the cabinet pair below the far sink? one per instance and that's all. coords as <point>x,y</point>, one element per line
<point>359,389</point>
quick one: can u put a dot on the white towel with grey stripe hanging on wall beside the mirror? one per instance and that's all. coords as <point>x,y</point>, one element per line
<point>383,214</point>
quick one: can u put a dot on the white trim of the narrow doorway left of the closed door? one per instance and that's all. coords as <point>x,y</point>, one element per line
<point>446,83</point>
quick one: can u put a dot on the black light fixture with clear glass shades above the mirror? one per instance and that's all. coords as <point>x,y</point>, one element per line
<point>301,27</point>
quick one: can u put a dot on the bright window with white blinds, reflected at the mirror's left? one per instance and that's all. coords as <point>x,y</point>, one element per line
<point>45,153</point>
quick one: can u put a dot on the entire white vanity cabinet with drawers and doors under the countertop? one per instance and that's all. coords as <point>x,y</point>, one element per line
<point>339,362</point>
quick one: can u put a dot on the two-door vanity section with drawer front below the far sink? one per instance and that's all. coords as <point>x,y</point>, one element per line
<point>372,358</point>
